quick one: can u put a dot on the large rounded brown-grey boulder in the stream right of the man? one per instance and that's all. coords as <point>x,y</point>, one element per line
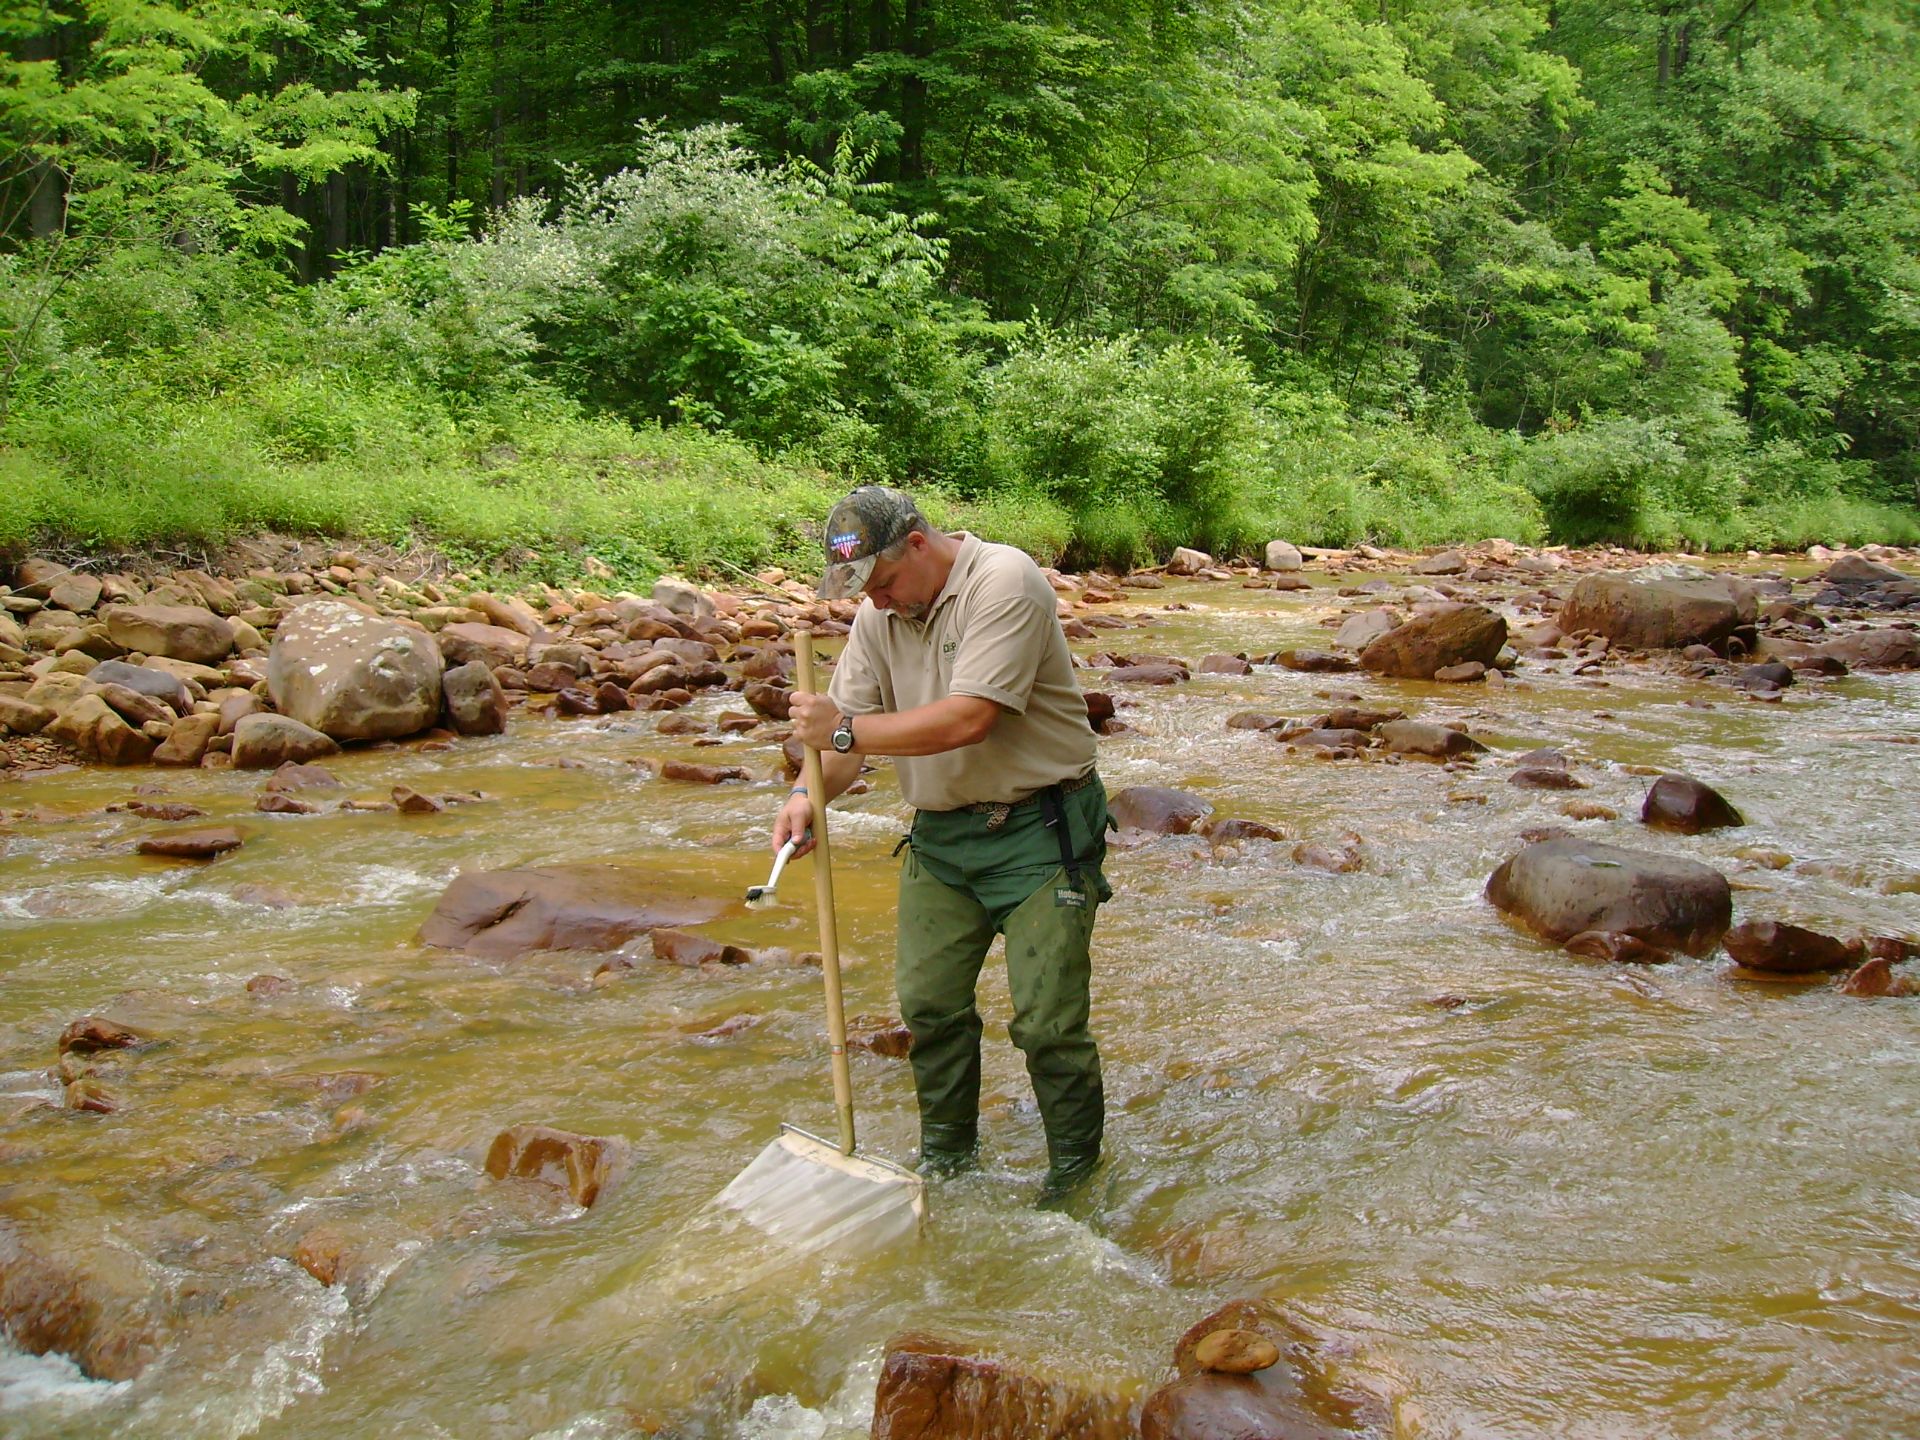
<point>1564,888</point>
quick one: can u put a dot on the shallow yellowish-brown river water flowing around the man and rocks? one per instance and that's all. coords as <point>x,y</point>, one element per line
<point>1518,1193</point>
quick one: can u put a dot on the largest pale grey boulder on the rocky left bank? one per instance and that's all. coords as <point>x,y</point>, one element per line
<point>354,675</point>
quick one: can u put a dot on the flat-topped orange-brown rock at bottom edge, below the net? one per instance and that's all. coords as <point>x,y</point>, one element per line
<point>940,1391</point>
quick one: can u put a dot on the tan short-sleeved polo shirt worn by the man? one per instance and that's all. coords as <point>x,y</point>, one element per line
<point>992,633</point>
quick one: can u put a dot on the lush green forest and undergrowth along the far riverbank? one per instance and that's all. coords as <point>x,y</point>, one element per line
<point>546,279</point>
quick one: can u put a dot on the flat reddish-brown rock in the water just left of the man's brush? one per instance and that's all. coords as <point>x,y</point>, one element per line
<point>598,907</point>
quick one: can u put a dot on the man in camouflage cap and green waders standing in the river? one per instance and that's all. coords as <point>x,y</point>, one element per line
<point>957,667</point>
